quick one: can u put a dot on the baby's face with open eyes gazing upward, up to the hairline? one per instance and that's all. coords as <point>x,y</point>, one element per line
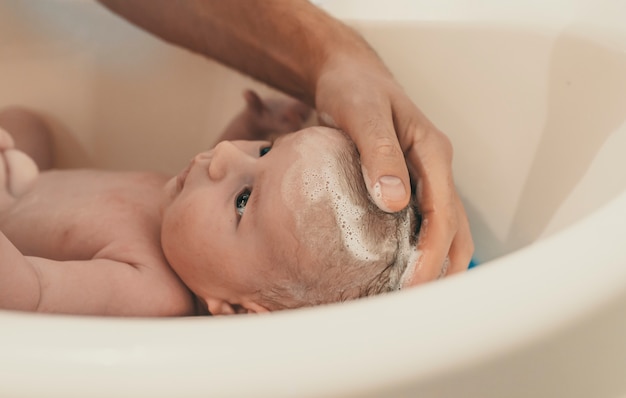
<point>230,216</point>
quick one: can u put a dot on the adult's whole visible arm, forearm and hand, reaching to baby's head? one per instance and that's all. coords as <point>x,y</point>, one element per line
<point>297,48</point>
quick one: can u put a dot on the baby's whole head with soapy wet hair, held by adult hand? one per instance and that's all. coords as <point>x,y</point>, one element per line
<point>251,228</point>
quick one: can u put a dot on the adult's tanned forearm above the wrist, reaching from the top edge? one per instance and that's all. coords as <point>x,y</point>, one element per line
<point>284,43</point>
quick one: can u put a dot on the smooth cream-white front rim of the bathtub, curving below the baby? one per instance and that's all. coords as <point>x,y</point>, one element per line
<point>122,350</point>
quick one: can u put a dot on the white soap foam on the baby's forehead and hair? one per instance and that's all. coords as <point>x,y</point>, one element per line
<point>322,184</point>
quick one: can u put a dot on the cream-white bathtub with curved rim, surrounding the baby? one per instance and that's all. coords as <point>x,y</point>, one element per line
<point>533,96</point>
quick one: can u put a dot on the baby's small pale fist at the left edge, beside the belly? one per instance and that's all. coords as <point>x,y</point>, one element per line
<point>17,170</point>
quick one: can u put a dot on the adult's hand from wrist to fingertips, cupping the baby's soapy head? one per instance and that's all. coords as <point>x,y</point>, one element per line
<point>359,96</point>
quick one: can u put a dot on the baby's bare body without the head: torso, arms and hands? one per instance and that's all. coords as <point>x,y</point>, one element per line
<point>88,241</point>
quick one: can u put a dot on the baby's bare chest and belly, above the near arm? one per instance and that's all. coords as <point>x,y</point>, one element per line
<point>75,222</point>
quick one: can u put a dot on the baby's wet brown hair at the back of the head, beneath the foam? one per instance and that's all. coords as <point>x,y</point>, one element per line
<point>337,274</point>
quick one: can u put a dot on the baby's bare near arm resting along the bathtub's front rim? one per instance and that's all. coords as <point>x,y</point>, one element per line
<point>89,287</point>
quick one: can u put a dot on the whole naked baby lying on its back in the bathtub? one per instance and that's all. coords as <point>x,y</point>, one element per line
<point>246,227</point>
